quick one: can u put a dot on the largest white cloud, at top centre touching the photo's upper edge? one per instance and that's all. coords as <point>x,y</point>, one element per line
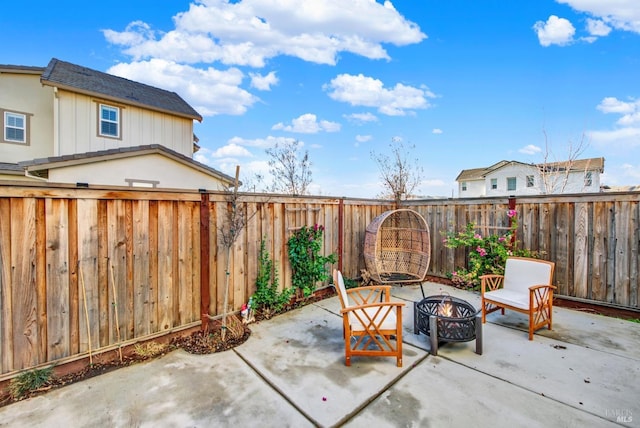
<point>249,32</point>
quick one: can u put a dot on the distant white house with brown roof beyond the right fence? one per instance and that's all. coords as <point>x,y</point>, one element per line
<point>511,178</point>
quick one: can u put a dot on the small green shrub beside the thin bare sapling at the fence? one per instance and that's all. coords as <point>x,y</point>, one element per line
<point>267,297</point>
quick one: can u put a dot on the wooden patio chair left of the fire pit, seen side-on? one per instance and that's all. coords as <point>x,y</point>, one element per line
<point>372,324</point>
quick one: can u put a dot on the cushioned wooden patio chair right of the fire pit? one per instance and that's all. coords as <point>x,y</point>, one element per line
<point>525,287</point>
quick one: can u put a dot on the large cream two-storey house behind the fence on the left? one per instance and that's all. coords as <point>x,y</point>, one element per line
<point>69,124</point>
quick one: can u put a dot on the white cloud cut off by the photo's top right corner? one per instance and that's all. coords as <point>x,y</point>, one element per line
<point>620,14</point>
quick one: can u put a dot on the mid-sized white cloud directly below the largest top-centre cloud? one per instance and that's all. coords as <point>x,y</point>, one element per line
<point>366,91</point>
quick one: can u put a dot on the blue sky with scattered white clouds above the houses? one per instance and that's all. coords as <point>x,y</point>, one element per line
<point>468,82</point>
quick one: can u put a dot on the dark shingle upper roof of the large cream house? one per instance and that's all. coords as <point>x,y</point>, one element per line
<point>91,82</point>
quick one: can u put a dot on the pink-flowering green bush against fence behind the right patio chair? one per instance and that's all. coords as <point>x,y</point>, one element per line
<point>486,254</point>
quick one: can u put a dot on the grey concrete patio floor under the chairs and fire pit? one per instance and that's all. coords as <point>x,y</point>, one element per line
<point>291,372</point>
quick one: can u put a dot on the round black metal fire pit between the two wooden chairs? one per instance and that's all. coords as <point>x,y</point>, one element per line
<point>447,319</point>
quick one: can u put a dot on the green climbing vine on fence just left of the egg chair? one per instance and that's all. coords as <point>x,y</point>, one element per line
<point>308,266</point>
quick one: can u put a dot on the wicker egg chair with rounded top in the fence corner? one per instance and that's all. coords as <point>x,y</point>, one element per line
<point>397,247</point>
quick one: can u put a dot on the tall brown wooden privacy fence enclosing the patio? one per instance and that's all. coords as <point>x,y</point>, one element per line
<point>85,269</point>
